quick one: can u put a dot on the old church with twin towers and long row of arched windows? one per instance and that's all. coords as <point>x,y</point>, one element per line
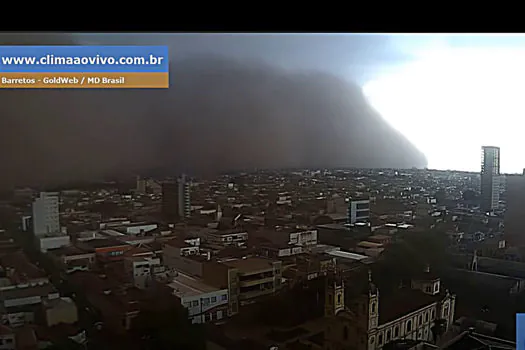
<point>421,311</point>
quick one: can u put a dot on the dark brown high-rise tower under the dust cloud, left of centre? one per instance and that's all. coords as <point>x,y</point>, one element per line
<point>176,201</point>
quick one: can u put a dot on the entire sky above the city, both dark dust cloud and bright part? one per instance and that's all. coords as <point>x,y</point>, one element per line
<point>276,100</point>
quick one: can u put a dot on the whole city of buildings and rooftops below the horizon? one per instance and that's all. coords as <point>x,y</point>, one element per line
<point>291,259</point>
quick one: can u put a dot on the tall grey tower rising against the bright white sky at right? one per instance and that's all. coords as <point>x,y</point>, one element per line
<point>490,178</point>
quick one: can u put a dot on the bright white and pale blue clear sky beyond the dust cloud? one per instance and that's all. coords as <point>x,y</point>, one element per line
<point>448,94</point>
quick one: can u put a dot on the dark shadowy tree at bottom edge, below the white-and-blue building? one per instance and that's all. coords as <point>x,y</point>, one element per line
<point>168,328</point>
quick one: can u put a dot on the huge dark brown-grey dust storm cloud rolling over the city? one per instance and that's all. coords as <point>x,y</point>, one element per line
<point>219,114</point>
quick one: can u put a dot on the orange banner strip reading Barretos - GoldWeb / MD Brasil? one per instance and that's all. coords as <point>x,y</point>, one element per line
<point>84,80</point>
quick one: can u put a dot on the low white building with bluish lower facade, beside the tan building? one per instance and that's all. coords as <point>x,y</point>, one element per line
<point>203,302</point>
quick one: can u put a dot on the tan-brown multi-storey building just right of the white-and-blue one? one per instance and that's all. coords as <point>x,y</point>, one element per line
<point>246,279</point>
